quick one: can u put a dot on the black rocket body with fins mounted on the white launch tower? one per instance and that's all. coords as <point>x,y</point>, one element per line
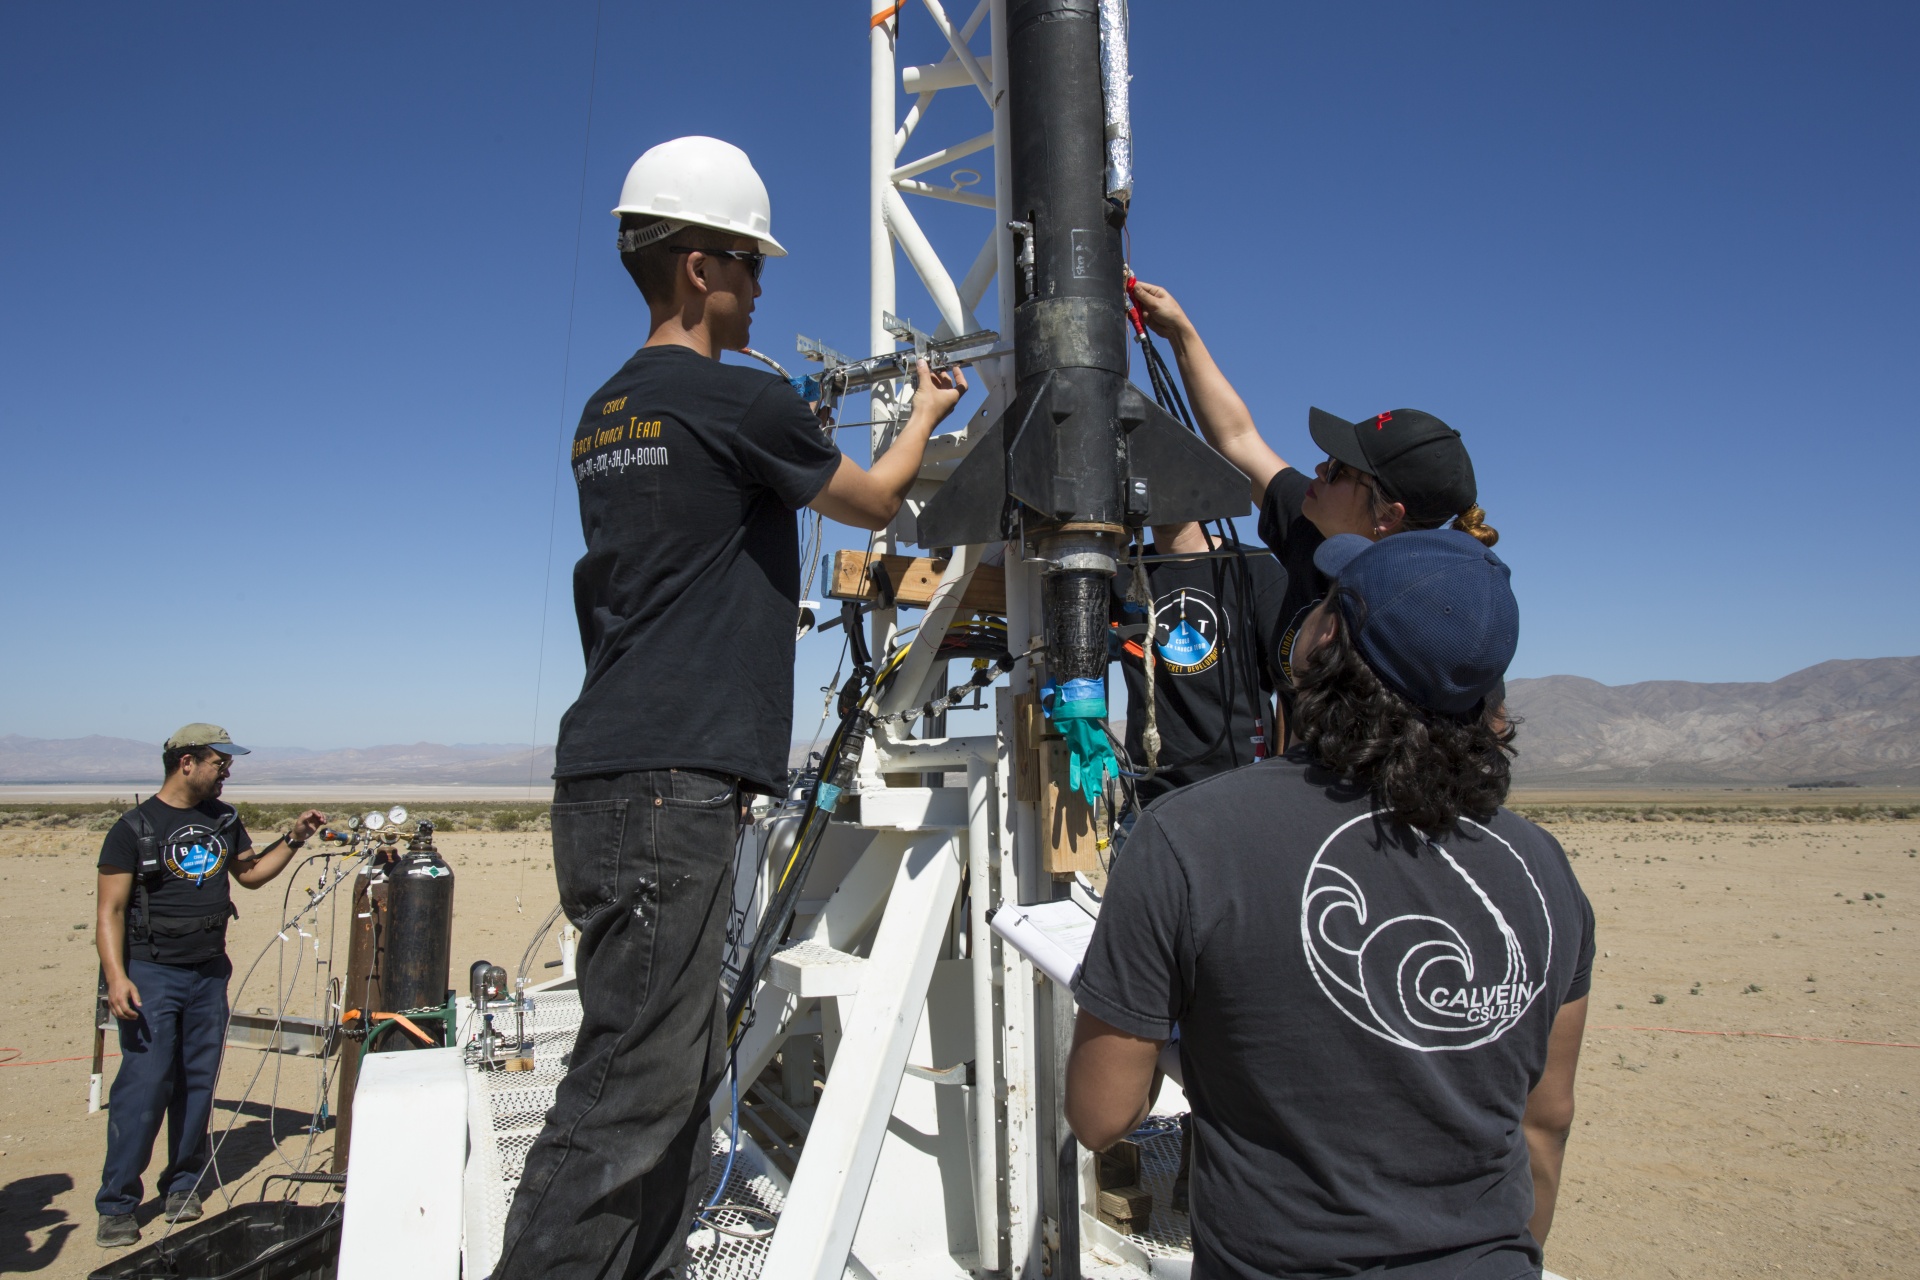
<point>1082,458</point>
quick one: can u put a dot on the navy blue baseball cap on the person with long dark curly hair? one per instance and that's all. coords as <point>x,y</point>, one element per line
<point>1431,613</point>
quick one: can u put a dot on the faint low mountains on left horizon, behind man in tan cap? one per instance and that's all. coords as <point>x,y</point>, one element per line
<point>126,761</point>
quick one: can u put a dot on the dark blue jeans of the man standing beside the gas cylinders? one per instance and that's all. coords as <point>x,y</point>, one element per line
<point>170,1060</point>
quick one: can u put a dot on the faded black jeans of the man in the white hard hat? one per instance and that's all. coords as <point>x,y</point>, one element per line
<point>646,870</point>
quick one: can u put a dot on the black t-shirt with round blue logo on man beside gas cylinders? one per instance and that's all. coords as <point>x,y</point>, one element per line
<point>197,851</point>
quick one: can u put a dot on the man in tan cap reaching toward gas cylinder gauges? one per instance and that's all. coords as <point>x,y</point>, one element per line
<point>162,934</point>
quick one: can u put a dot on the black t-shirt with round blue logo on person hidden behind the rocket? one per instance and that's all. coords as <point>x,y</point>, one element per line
<point>1207,667</point>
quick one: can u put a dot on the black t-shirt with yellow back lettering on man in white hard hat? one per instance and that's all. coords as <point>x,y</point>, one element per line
<point>690,473</point>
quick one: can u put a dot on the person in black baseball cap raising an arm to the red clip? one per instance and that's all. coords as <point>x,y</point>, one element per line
<point>1393,473</point>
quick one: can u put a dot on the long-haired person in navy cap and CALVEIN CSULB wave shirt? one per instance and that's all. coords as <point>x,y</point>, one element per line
<point>1380,972</point>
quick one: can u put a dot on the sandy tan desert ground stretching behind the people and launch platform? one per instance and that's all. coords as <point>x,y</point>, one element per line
<point>1692,1154</point>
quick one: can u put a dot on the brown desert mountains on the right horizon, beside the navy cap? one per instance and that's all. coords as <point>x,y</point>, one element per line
<point>1854,721</point>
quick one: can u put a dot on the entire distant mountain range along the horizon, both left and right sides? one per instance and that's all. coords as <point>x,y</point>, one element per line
<point>1852,721</point>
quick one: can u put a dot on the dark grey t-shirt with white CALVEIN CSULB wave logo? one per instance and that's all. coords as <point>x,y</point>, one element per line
<point>1362,1020</point>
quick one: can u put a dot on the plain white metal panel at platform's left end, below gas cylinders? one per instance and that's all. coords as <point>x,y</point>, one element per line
<point>410,1154</point>
